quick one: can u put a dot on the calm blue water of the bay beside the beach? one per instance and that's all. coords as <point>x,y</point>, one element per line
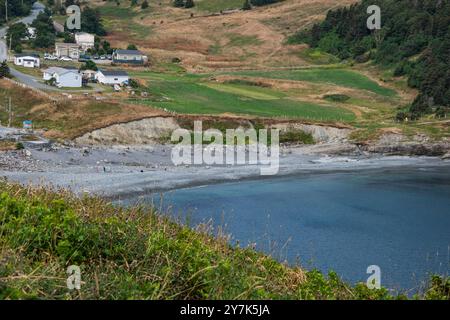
<point>399,221</point>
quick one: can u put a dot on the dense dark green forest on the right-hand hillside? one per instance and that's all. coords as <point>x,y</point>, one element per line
<point>414,41</point>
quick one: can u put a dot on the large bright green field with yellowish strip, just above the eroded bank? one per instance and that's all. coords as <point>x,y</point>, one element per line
<point>188,95</point>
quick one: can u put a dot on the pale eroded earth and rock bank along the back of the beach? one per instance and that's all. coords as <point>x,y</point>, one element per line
<point>159,129</point>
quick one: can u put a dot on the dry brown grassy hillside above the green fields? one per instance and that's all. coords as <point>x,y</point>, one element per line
<point>244,38</point>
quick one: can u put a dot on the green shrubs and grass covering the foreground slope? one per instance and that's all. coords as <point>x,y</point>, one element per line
<point>137,254</point>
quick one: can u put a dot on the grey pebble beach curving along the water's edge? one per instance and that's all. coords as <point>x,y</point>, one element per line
<point>128,172</point>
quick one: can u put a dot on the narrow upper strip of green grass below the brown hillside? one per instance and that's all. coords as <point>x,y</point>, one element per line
<point>335,76</point>
